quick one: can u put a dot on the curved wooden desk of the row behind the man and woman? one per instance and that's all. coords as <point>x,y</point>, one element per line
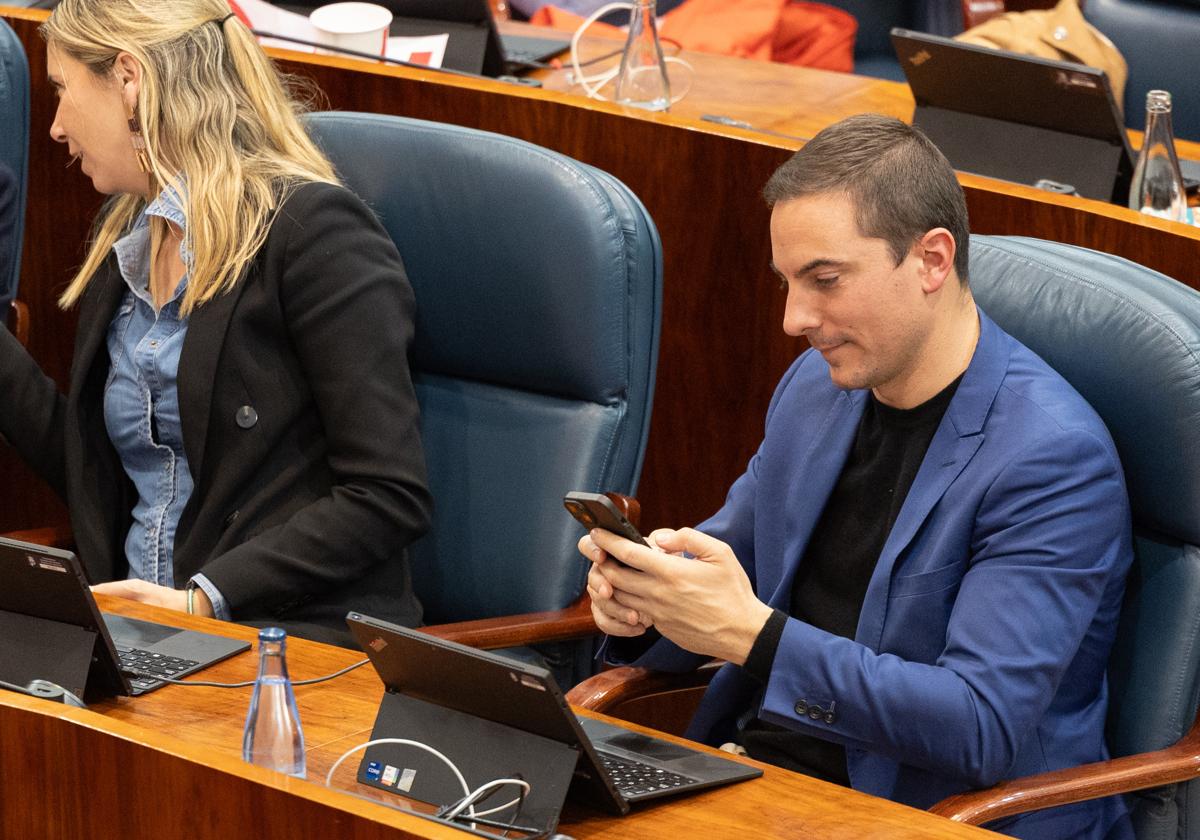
<point>723,349</point>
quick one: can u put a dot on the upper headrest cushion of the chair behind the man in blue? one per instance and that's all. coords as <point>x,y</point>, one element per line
<point>1129,340</point>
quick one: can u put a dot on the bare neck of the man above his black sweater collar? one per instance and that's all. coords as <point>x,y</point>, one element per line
<point>945,357</point>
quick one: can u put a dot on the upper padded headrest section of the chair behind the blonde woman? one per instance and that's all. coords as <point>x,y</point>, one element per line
<point>467,209</point>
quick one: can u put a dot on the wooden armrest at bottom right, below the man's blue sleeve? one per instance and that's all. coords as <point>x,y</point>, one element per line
<point>1179,763</point>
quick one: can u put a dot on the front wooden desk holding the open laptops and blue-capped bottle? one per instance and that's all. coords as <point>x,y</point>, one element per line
<point>169,765</point>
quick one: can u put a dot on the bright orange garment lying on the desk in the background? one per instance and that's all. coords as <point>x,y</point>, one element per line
<point>789,32</point>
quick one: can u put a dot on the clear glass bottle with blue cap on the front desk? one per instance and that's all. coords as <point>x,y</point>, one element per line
<point>273,737</point>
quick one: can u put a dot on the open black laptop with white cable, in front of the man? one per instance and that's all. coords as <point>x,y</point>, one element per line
<point>495,717</point>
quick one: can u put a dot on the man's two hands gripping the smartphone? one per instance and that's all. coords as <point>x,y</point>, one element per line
<point>704,603</point>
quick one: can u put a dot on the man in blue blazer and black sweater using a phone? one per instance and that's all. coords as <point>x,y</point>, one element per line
<point>917,580</point>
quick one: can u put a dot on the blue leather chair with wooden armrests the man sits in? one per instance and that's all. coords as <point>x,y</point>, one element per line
<point>1129,339</point>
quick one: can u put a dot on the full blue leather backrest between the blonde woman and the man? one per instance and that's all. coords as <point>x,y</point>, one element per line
<point>538,286</point>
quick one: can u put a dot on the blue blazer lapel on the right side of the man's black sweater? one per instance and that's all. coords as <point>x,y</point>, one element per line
<point>957,441</point>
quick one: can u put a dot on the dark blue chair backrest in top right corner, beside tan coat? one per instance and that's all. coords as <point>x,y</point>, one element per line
<point>1159,40</point>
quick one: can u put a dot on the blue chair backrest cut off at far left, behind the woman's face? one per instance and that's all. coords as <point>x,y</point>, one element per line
<point>14,158</point>
